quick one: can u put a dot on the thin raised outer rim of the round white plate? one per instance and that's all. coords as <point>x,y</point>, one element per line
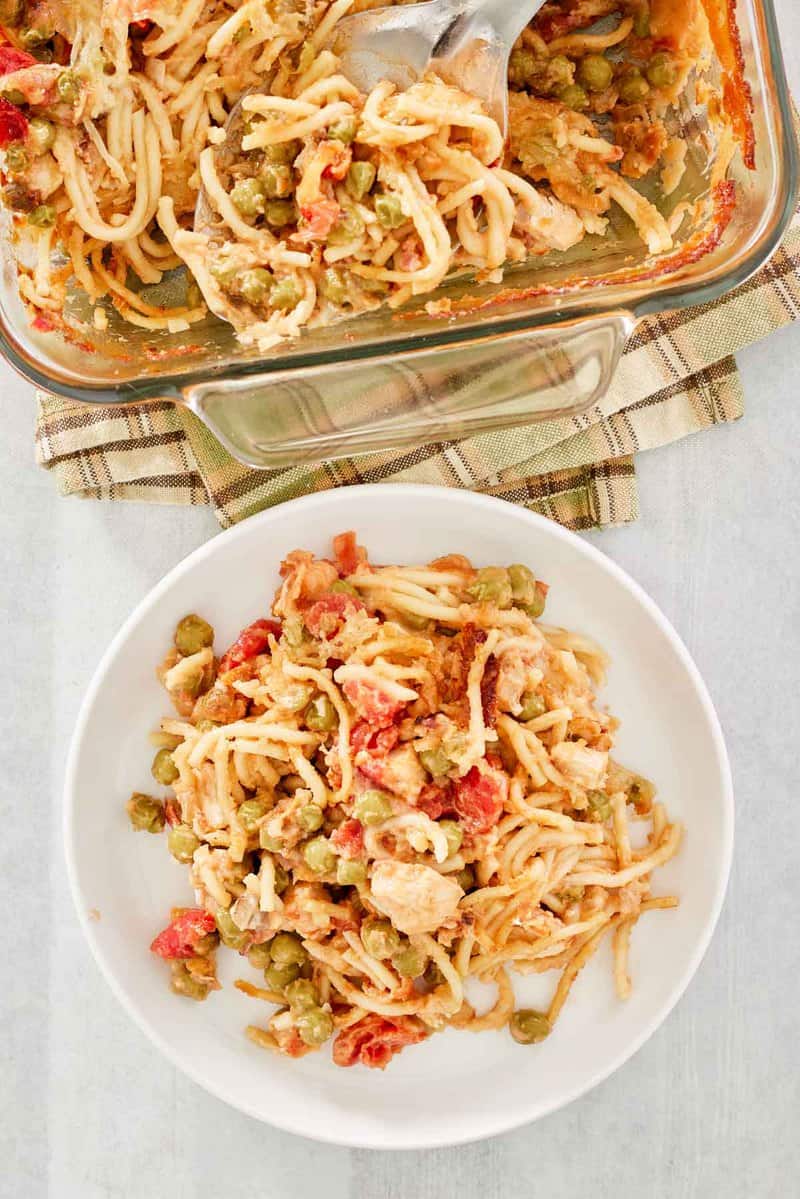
<point>542,1108</point>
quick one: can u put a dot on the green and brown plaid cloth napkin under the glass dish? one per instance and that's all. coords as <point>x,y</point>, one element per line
<point>677,377</point>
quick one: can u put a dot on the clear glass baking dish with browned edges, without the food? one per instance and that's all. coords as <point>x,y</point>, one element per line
<point>544,344</point>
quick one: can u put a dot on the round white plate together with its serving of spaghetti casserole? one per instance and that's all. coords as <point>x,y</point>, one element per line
<point>401,840</point>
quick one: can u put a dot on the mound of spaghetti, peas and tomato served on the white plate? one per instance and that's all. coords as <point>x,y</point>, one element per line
<point>398,784</point>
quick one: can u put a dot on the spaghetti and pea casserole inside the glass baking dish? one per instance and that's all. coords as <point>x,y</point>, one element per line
<point>323,202</point>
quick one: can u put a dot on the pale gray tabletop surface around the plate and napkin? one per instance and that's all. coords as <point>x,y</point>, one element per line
<point>709,1108</point>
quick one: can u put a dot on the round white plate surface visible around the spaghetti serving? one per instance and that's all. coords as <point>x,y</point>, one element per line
<point>456,1087</point>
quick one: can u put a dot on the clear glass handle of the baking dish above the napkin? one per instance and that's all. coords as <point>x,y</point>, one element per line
<point>290,417</point>
